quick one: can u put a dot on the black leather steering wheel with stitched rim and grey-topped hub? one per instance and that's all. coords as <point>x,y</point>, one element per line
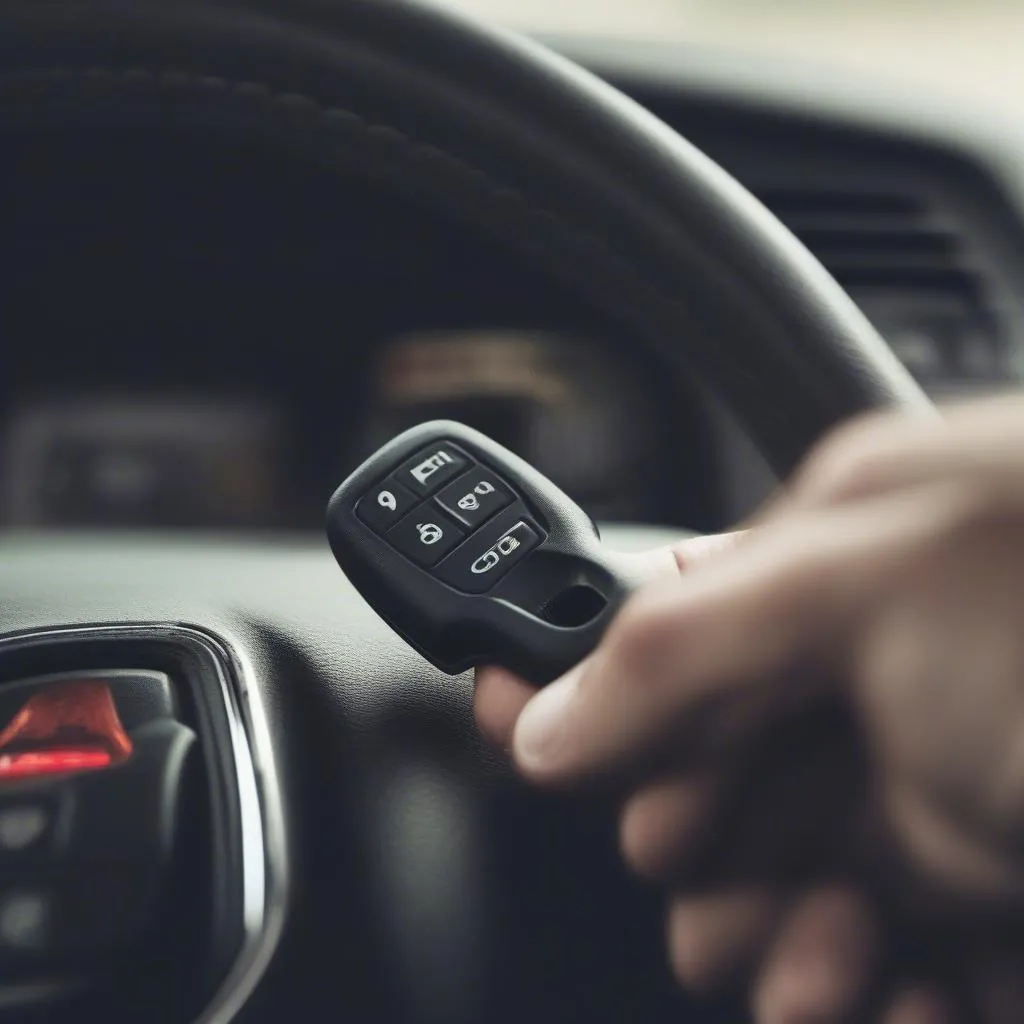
<point>390,867</point>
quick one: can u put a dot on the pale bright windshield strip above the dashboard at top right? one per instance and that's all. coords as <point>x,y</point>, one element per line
<point>972,50</point>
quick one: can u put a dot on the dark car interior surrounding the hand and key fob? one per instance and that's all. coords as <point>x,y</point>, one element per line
<point>246,243</point>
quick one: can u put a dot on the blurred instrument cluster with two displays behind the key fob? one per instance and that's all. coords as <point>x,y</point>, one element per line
<point>265,459</point>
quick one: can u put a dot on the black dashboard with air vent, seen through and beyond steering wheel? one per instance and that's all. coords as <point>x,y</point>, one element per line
<point>174,370</point>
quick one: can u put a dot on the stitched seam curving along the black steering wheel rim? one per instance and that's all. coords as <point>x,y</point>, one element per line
<point>387,138</point>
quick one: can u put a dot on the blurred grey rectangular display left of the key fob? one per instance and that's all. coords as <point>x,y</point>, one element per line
<point>124,463</point>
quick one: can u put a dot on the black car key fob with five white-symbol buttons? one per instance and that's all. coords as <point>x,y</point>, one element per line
<point>474,557</point>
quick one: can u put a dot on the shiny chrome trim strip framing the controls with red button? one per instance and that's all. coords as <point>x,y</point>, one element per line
<point>264,838</point>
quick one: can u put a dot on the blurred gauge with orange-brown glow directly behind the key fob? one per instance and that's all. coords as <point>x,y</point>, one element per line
<point>568,407</point>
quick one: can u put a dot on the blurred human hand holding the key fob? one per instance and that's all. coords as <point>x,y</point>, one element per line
<point>821,716</point>
